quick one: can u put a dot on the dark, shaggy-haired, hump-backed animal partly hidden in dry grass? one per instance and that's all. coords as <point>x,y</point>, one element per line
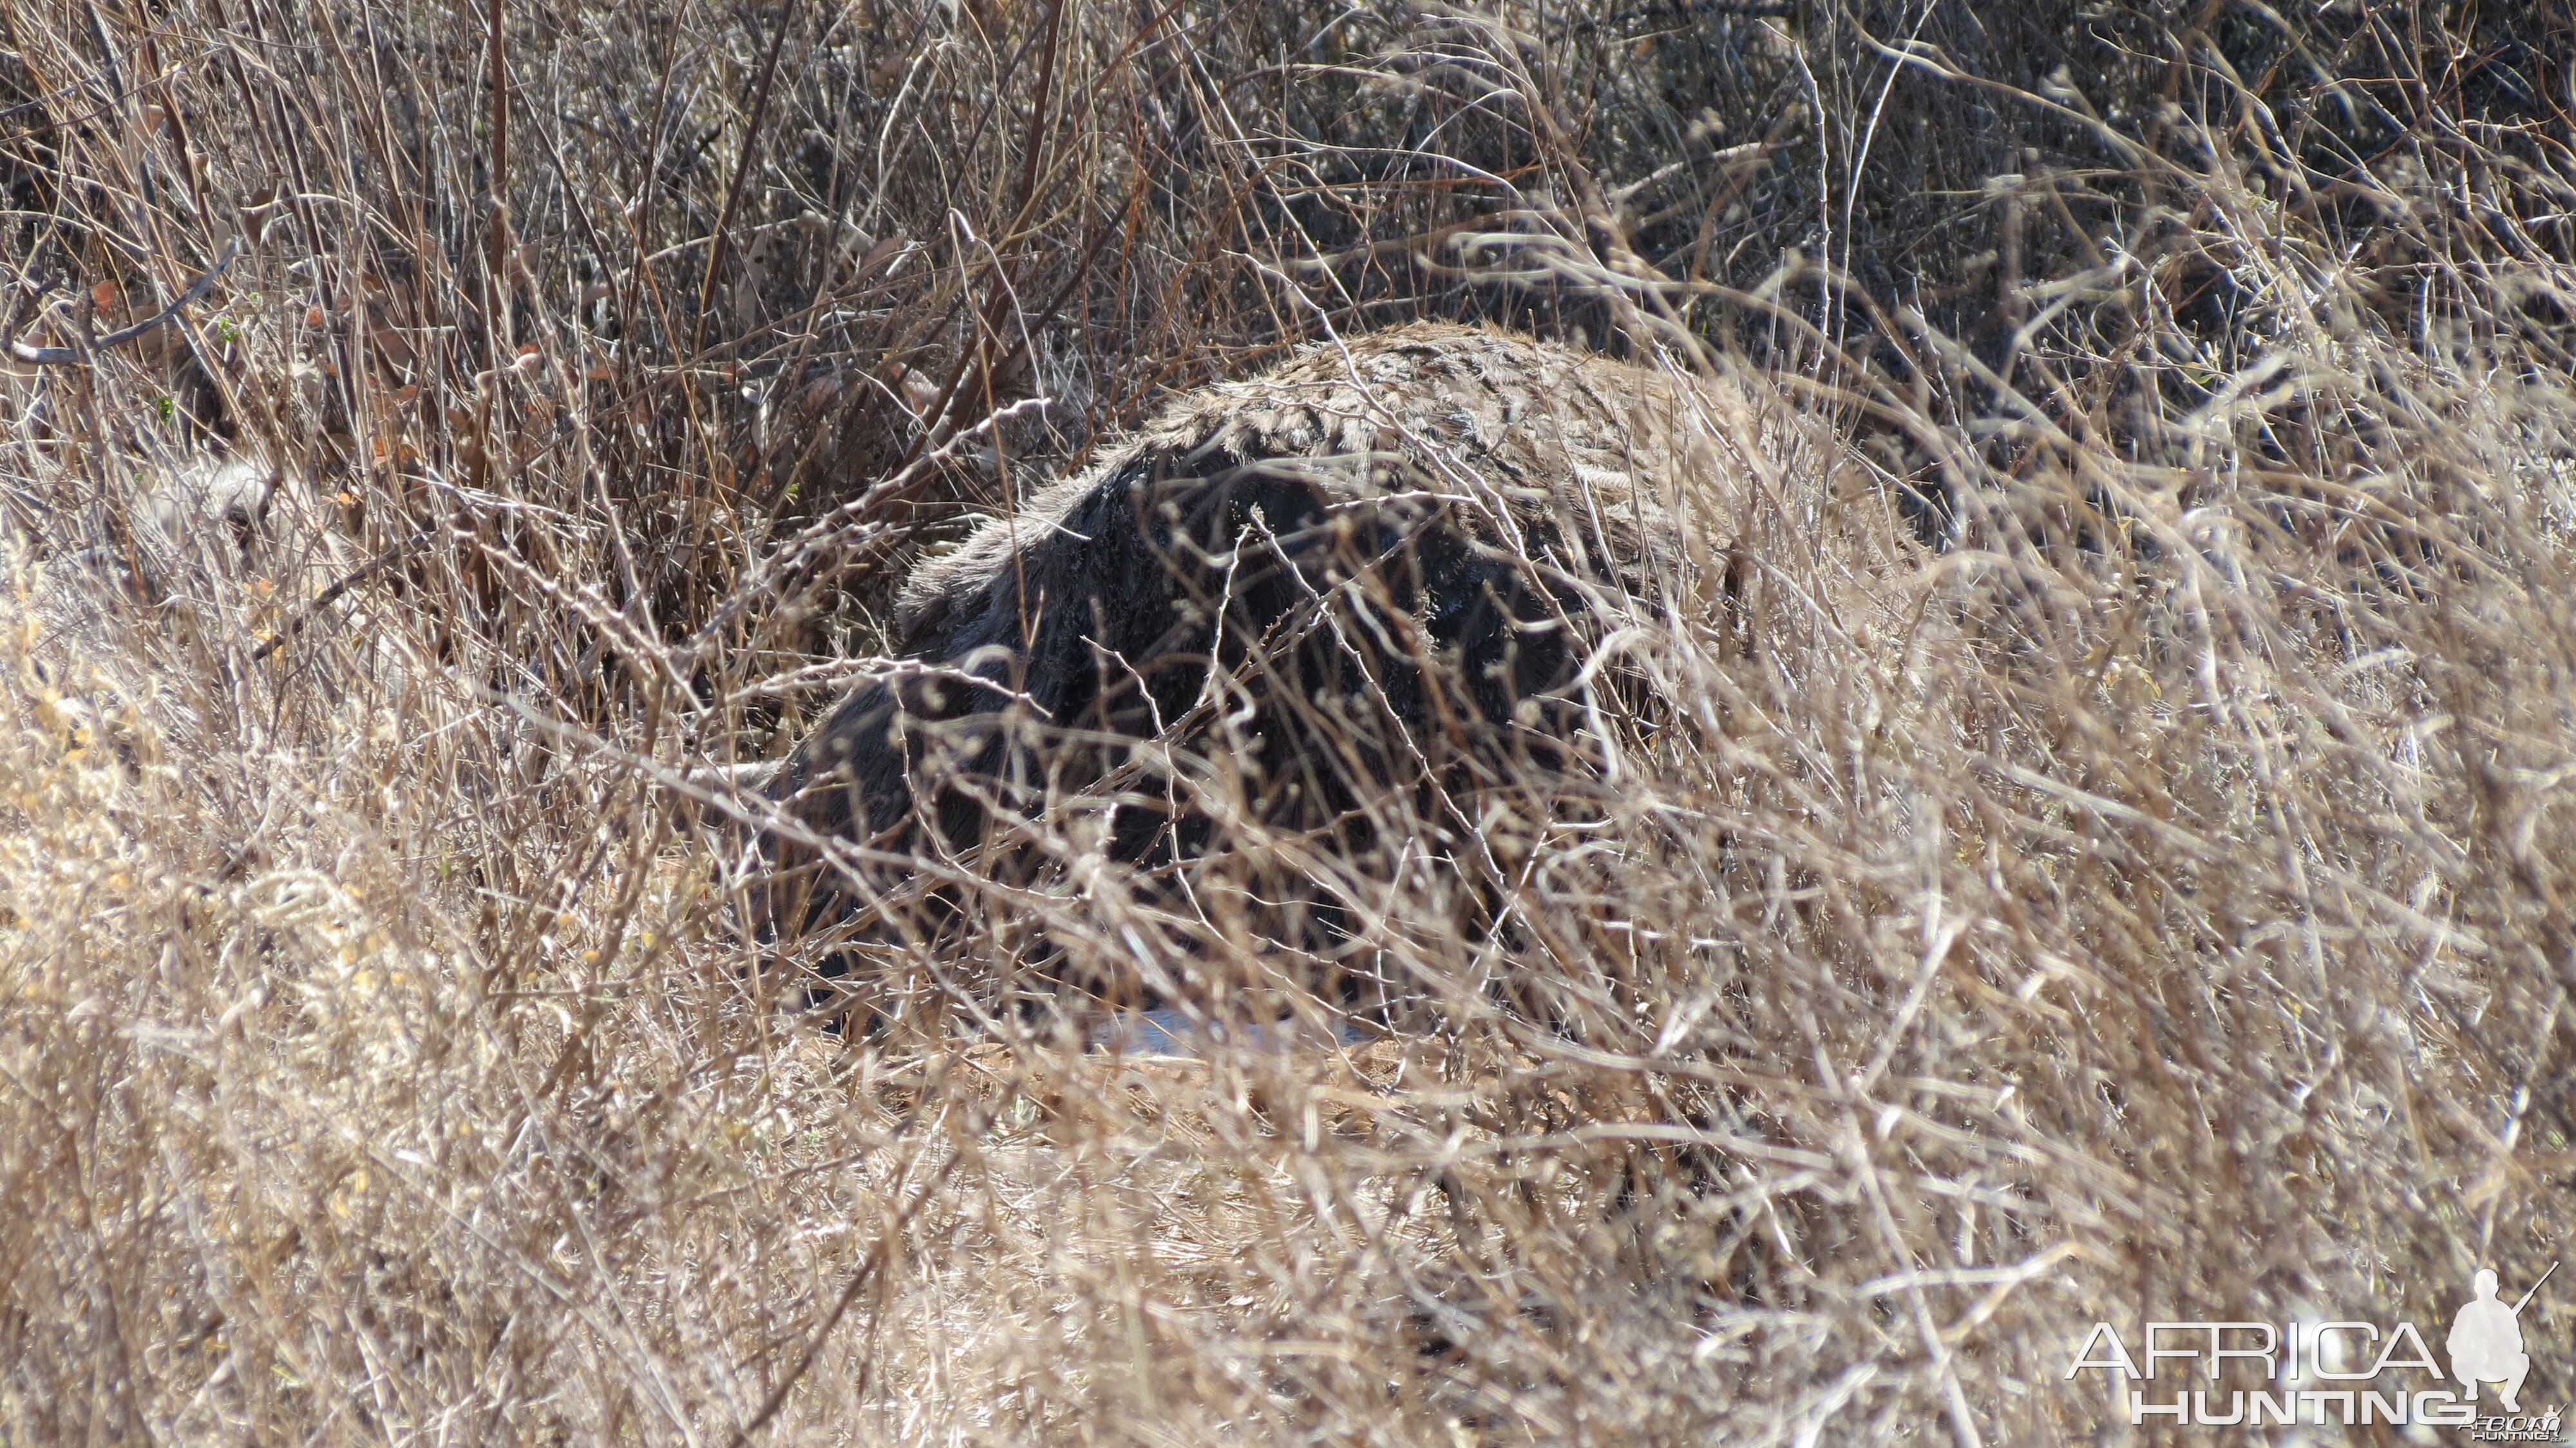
<point>1351,609</point>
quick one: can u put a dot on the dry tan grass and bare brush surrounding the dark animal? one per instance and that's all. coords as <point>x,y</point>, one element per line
<point>2183,934</point>
